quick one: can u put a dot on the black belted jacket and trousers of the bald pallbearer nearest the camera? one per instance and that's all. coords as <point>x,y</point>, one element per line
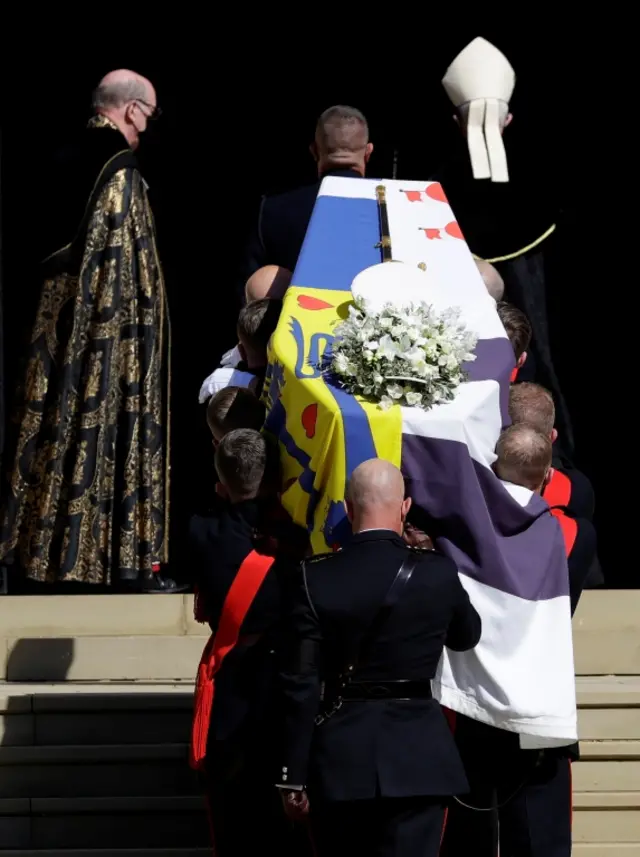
<point>379,770</point>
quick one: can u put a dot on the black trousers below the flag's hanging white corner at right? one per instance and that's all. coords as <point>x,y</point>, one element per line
<point>529,790</point>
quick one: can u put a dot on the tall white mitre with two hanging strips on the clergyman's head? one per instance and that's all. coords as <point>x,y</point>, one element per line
<point>482,77</point>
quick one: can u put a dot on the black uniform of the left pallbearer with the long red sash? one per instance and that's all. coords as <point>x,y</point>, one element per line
<point>245,811</point>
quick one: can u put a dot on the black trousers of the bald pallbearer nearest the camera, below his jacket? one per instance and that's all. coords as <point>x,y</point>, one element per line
<point>381,827</point>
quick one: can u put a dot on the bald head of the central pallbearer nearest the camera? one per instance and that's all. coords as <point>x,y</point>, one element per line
<point>375,497</point>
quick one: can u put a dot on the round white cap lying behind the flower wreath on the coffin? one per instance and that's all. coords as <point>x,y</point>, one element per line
<point>395,283</point>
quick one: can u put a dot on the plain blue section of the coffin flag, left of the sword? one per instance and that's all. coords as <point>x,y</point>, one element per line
<point>340,242</point>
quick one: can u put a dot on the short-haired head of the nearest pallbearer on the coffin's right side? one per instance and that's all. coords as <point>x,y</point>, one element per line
<point>524,456</point>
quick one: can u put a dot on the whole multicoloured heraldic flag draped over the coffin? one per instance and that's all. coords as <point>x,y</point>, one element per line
<point>508,547</point>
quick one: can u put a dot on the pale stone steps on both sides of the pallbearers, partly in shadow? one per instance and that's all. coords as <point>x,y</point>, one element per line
<point>95,709</point>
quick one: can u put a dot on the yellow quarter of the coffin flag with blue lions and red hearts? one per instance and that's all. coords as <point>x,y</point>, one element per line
<point>323,432</point>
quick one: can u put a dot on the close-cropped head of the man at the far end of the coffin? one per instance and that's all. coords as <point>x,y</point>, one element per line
<point>342,140</point>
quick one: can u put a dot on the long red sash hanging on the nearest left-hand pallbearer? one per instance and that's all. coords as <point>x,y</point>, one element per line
<point>236,605</point>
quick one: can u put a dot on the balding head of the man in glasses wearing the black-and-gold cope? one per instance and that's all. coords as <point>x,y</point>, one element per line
<point>128,99</point>
